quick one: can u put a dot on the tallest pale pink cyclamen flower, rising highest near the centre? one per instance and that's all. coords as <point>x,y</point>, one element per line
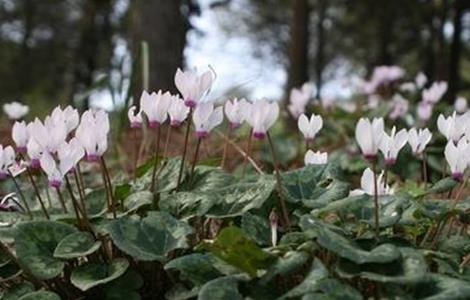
<point>192,86</point>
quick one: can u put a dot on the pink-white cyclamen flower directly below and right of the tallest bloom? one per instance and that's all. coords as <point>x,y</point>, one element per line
<point>206,118</point>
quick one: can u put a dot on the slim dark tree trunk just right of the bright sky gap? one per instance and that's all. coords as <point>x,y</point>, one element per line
<point>298,68</point>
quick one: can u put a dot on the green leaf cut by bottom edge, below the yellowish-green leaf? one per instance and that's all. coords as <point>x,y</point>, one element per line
<point>224,288</point>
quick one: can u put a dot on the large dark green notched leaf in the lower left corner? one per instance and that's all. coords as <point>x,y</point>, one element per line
<point>35,243</point>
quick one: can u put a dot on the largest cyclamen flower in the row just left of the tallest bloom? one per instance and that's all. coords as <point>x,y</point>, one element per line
<point>155,106</point>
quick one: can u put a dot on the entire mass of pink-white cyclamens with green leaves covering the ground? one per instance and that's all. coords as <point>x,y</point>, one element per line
<point>169,229</point>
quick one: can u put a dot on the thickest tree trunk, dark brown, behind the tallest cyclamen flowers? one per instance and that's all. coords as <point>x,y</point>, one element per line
<point>164,27</point>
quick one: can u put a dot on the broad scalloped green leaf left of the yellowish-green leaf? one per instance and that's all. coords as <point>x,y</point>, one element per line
<point>151,237</point>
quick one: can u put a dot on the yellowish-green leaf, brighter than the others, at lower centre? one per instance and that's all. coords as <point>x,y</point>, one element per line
<point>232,246</point>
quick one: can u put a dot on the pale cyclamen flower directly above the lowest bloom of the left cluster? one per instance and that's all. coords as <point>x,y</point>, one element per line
<point>49,135</point>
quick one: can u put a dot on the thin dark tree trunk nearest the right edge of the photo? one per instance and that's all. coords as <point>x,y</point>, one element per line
<point>455,51</point>
